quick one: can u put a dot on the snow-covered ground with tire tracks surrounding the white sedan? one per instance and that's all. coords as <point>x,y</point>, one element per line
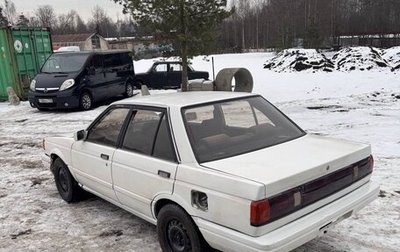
<point>361,106</point>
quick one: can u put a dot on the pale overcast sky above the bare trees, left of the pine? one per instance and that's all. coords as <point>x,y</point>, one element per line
<point>83,7</point>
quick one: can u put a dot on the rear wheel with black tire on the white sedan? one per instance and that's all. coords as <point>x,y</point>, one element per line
<point>177,232</point>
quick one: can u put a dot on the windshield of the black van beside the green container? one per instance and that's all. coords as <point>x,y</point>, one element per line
<point>64,63</point>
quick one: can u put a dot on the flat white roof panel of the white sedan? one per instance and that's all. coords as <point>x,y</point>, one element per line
<point>183,99</point>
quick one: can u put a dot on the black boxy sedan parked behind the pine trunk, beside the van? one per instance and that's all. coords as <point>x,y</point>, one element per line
<point>167,74</point>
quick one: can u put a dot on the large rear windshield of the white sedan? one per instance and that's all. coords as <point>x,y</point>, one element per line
<point>229,128</point>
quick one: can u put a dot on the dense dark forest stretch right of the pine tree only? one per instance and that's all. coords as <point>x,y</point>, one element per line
<point>260,24</point>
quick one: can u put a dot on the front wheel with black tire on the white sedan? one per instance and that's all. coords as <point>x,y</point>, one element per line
<point>67,186</point>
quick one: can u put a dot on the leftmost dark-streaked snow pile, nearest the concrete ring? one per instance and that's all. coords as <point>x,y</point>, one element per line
<point>298,60</point>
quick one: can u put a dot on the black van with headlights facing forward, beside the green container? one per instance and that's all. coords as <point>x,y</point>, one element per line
<point>78,79</point>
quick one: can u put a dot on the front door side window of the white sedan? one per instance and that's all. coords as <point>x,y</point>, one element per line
<point>107,129</point>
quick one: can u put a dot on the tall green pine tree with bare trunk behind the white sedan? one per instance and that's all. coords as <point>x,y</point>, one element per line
<point>189,24</point>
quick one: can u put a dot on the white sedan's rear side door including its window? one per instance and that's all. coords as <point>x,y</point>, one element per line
<point>145,165</point>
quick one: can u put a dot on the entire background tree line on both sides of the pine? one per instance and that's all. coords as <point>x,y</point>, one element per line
<point>254,24</point>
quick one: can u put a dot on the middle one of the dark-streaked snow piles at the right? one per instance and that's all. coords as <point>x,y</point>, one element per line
<point>359,58</point>
